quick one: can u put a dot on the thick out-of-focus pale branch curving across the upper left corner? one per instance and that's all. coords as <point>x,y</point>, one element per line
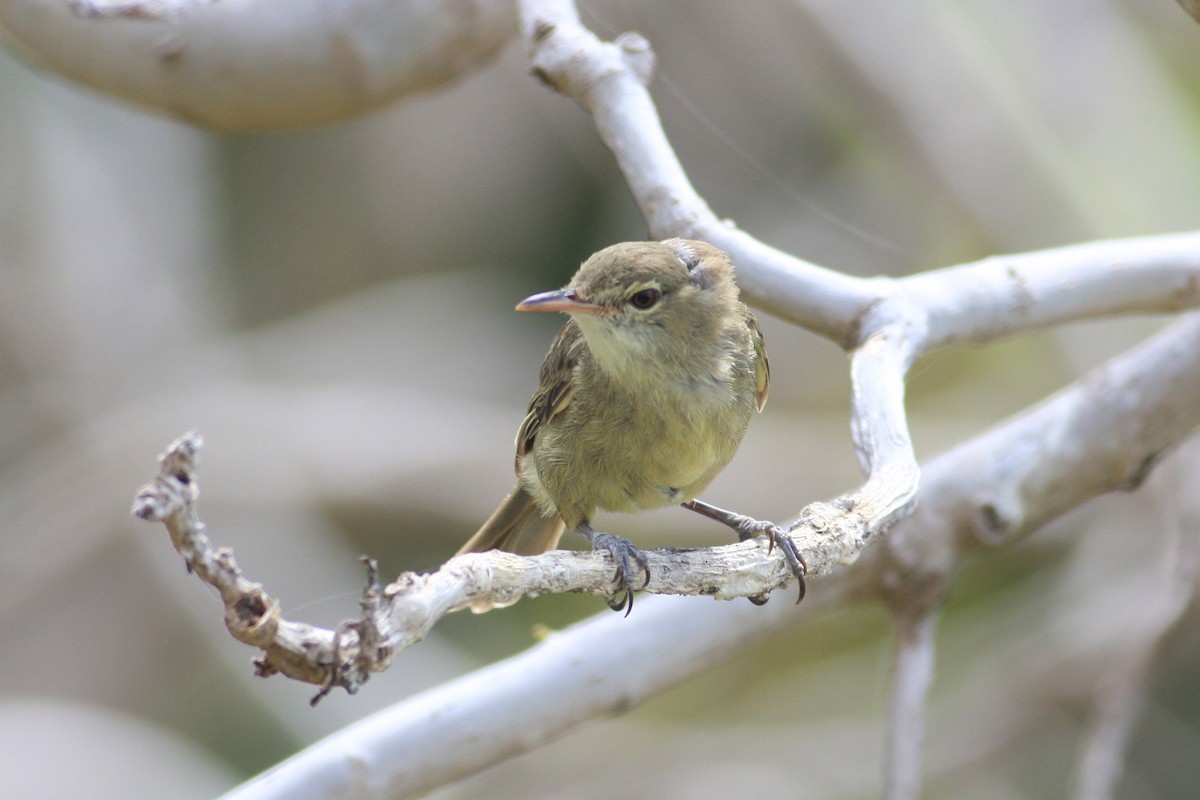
<point>256,64</point>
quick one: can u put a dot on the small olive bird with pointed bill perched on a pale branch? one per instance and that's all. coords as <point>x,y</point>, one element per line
<point>644,399</point>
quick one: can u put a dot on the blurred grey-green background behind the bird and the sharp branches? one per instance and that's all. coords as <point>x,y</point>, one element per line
<point>333,310</point>
